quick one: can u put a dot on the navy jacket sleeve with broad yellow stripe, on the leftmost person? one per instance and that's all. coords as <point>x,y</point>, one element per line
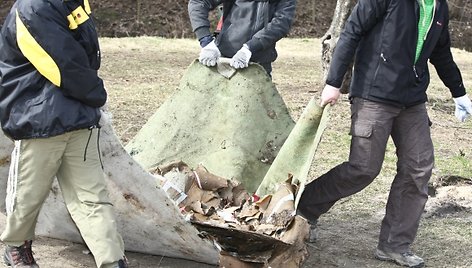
<point>44,38</point>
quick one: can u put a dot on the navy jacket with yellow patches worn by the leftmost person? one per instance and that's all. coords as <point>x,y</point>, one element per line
<point>49,57</point>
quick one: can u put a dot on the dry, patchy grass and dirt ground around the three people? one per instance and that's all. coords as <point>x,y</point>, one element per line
<point>140,73</point>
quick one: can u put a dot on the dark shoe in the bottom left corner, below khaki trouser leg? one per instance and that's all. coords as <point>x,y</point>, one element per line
<point>20,256</point>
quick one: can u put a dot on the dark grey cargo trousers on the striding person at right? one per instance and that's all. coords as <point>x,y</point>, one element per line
<point>372,124</point>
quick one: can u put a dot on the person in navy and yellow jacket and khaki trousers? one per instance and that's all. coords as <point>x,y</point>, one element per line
<point>50,99</point>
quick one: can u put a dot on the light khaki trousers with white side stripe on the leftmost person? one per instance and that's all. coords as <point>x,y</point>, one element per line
<point>73,158</point>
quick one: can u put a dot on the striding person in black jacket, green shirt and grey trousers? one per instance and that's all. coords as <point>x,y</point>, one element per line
<point>391,42</point>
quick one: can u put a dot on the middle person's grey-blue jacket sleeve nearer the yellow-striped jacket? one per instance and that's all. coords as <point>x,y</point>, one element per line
<point>198,11</point>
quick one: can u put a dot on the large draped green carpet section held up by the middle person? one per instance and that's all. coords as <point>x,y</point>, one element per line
<point>234,127</point>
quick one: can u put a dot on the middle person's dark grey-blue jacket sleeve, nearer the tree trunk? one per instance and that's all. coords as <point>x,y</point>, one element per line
<point>278,27</point>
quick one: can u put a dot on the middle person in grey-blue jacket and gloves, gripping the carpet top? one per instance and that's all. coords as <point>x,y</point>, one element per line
<point>249,32</point>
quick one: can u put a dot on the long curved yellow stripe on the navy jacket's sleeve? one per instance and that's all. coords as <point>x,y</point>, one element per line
<point>36,54</point>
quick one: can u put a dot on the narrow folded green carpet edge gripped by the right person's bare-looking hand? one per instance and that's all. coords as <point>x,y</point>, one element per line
<point>296,155</point>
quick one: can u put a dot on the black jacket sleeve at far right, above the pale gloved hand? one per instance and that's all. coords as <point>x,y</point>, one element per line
<point>443,62</point>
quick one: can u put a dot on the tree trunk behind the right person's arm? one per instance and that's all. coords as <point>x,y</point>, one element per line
<point>329,40</point>
